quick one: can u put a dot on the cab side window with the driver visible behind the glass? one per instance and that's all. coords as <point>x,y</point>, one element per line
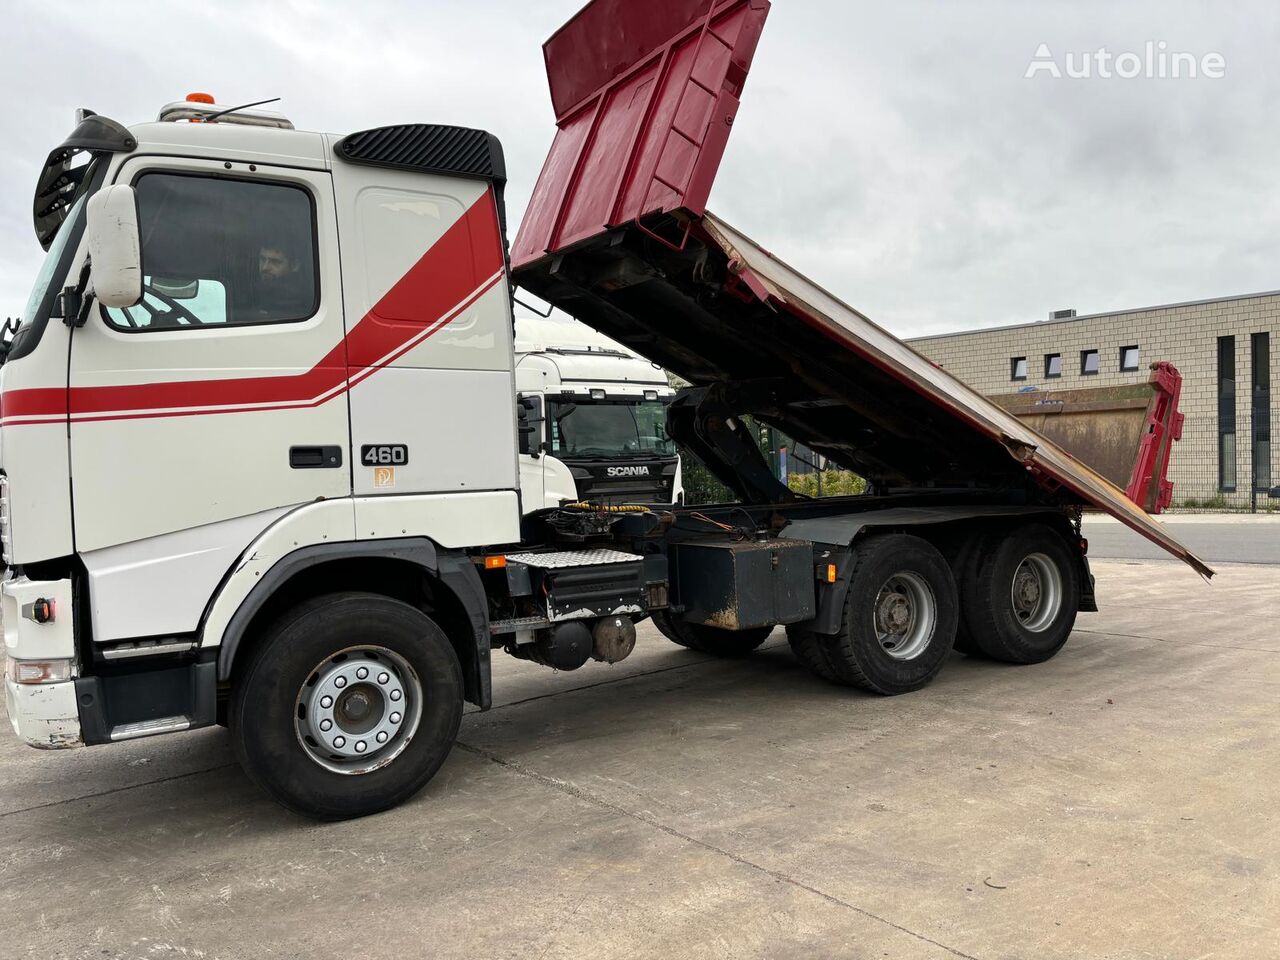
<point>220,252</point>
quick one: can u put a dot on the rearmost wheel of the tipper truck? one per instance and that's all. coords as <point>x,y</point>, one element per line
<point>1021,604</point>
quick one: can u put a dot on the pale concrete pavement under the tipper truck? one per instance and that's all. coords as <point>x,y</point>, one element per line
<point>1118,802</point>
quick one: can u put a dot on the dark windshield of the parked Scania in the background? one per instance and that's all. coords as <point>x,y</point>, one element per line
<point>609,429</point>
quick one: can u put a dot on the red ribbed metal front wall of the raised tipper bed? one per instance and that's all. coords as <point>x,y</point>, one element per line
<point>644,95</point>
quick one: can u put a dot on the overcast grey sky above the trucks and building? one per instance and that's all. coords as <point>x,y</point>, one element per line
<point>893,152</point>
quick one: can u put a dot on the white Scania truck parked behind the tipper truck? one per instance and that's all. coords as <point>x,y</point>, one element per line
<point>598,418</point>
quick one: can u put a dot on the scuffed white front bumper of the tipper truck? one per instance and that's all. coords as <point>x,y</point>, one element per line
<point>43,715</point>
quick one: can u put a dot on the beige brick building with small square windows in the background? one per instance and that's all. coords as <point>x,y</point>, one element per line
<point>1224,349</point>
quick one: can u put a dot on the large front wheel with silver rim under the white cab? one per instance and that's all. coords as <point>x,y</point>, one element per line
<point>349,706</point>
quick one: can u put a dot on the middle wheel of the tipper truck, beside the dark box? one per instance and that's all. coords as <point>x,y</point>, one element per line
<point>899,620</point>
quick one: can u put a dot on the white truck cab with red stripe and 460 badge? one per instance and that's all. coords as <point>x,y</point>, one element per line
<point>246,344</point>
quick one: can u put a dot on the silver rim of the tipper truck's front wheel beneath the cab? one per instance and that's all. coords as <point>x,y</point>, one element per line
<point>359,710</point>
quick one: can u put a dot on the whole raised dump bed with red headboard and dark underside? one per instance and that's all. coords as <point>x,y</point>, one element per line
<point>618,235</point>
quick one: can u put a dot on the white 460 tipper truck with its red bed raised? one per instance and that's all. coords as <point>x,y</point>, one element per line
<point>231,423</point>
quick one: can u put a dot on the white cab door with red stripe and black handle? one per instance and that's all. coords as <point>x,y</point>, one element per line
<point>223,395</point>
